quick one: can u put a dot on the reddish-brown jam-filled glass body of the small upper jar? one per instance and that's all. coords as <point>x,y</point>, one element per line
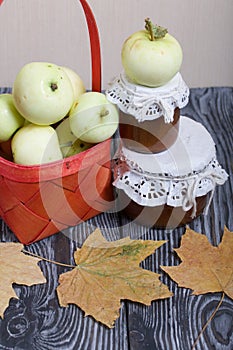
<point>151,136</point>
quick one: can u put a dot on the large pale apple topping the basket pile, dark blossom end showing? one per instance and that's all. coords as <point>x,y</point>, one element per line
<point>42,93</point>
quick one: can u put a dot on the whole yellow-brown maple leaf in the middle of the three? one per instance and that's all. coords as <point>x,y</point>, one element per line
<point>108,272</point>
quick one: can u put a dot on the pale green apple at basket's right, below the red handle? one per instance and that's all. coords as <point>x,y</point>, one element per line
<point>93,119</point>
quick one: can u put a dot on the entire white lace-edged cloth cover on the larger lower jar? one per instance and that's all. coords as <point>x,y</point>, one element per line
<point>175,177</point>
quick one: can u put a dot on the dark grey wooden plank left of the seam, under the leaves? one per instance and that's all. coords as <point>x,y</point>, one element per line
<point>36,321</point>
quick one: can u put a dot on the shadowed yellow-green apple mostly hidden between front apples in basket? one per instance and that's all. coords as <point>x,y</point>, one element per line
<point>69,143</point>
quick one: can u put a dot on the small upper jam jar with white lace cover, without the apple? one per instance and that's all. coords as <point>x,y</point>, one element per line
<point>149,117</point>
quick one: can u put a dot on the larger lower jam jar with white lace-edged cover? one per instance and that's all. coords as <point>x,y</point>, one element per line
<point>171,188</point>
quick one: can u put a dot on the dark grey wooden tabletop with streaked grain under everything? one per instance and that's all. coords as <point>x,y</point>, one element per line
<point>36,321</point>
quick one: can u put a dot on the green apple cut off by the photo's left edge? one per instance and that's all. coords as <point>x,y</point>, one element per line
<point>10,118</point>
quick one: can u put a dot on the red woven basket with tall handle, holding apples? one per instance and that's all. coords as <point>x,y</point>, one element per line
<point>38,201</point>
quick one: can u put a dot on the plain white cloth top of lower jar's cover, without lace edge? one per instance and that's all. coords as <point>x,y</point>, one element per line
<point>193,149</point>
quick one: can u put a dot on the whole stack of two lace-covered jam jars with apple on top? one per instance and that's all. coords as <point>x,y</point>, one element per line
<point>165,170</point>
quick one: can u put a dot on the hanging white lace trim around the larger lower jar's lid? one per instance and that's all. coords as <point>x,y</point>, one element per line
<point>158,189</point>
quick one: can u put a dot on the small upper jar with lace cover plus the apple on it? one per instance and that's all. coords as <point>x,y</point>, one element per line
<point>150,90</point>
